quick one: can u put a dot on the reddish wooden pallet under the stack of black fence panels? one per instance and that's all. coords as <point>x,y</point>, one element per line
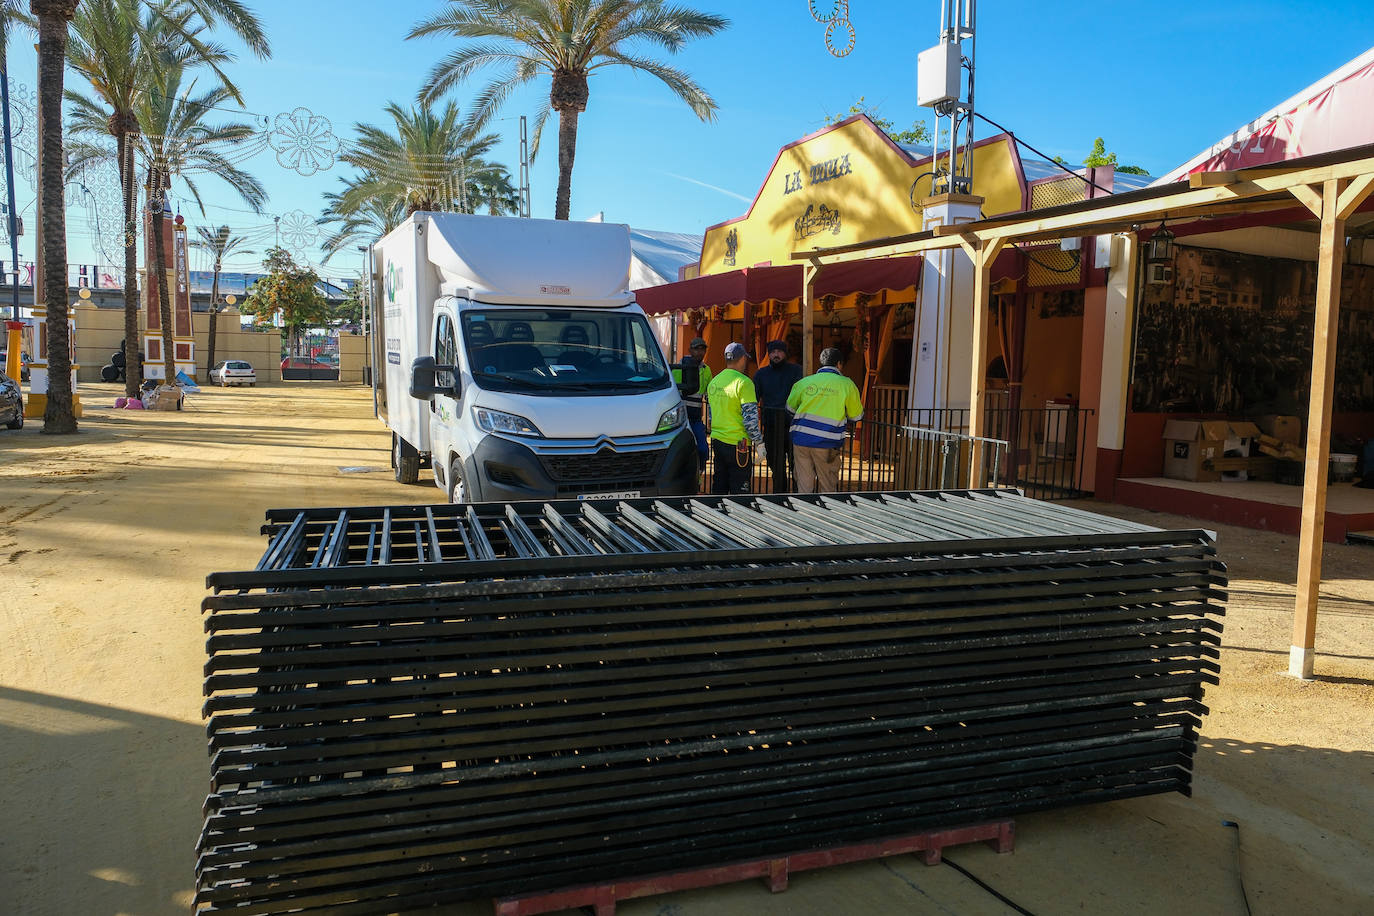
<point>776,873</point>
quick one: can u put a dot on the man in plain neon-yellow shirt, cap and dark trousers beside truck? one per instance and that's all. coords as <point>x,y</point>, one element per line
<point>733,424</point>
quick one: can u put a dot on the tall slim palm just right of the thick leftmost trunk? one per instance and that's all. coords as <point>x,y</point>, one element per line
<point>117,53</point>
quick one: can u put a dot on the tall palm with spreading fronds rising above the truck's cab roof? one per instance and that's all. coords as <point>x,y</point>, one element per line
<point>565,39</point>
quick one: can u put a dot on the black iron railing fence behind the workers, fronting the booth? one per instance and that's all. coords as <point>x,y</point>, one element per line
<point>1038,450</point>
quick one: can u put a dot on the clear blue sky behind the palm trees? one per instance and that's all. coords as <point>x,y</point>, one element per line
<point>1158,83</point>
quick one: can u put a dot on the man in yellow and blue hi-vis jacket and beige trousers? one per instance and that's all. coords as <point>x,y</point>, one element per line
<point>822,407</point>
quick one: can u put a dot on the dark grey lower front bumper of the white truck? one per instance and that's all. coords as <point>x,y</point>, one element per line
<point>502,470</point>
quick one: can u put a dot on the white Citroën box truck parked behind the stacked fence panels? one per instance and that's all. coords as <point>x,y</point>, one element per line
<point>517,365</point>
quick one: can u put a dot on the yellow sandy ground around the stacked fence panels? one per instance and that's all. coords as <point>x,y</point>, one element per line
<point>106,540</point>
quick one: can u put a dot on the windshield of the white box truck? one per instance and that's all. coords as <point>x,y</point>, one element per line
<point>563,352</point>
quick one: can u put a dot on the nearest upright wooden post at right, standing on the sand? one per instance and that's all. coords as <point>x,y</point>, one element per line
<point>1332,255</point>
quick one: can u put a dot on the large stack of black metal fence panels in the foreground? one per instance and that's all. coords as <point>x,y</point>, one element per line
<point>420,705</point>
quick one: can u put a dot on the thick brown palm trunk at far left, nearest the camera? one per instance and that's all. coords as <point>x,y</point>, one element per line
<point>54,16</point>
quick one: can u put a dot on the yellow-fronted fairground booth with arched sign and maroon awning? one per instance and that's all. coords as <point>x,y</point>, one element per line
<point>902,321</point>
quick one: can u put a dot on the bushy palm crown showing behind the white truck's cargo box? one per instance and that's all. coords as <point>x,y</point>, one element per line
<point>424,163</point>
